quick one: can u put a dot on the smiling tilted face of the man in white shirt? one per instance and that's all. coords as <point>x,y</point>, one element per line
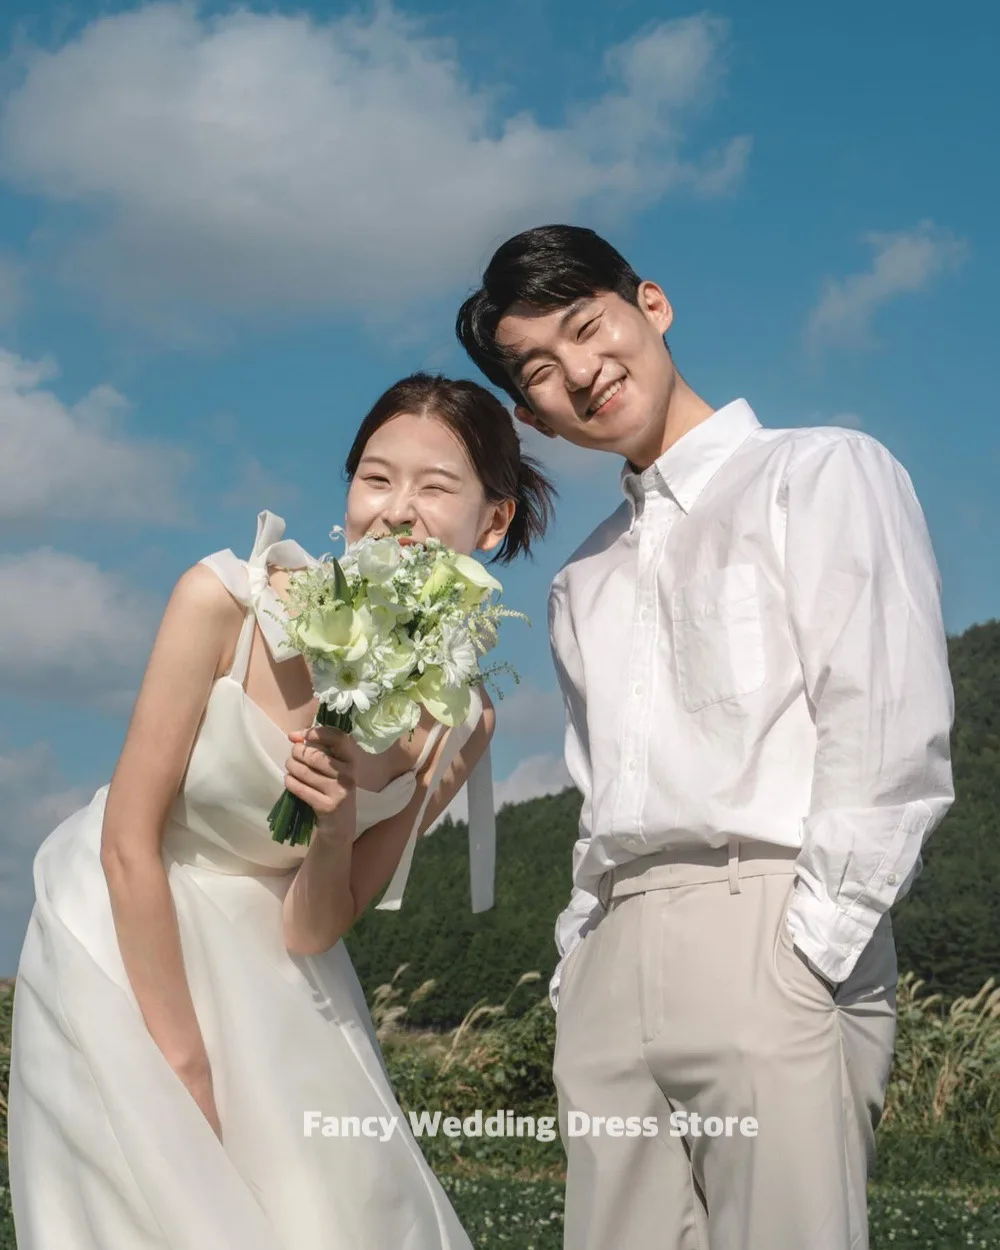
<point>596,373</point>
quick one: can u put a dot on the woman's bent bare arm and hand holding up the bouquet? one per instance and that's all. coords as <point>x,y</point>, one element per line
<point>341,877</point>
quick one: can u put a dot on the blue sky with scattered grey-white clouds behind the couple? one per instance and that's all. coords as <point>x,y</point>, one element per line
<point>224,233</point>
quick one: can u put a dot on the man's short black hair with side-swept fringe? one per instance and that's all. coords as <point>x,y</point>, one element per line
<point>547,268</point>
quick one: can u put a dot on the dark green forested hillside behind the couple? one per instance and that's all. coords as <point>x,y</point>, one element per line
<point>948,929</point>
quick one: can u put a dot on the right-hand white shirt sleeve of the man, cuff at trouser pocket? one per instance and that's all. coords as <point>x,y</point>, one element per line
<point>863,593</point>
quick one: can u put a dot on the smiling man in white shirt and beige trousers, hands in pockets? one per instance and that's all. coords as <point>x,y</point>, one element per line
<point>758,699</point>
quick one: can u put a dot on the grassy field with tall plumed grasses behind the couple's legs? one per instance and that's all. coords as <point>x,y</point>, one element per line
<point>939,1143</point>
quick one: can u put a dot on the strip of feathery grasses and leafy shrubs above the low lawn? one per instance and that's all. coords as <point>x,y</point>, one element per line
<point>942,1117</point>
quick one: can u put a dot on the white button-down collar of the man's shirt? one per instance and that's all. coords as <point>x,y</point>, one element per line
<point>688,467</point>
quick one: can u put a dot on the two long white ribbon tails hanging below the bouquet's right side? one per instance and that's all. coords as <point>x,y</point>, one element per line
<point>482,822</point>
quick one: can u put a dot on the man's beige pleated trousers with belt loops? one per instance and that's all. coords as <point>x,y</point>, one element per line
<point>689,999</point>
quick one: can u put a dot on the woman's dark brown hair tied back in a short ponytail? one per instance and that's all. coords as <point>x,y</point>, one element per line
<point>487,432</point>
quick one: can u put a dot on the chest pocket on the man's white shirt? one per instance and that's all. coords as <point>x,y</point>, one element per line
<point>718,637</point>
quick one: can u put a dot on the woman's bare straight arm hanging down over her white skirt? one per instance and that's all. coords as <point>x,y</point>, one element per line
<point>196,633</point>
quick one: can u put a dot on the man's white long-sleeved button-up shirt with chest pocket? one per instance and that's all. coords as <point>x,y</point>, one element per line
<point>752,646</point>
